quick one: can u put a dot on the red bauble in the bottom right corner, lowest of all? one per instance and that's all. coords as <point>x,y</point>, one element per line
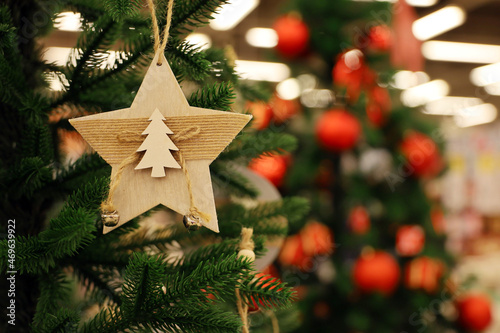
<point>475,312</point>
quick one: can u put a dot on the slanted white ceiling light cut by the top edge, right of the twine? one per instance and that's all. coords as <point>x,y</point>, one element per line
<point>230,14</point>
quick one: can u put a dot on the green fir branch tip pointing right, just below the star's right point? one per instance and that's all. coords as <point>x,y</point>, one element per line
<point>253,144</point>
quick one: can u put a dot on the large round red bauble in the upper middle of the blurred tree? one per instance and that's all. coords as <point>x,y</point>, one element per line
<point>338,130</point>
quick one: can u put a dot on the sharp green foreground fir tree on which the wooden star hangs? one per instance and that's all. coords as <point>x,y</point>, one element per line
<point>142,277</point>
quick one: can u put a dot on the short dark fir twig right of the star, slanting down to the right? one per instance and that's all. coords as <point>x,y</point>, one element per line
<point>231,181</point>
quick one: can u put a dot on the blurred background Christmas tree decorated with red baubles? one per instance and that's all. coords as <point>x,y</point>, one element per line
<point>366,162</point>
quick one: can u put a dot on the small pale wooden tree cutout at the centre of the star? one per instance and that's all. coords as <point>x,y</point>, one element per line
<point>157,147</point>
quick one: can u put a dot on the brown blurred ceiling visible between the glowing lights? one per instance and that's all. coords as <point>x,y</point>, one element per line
<point>481,26</point>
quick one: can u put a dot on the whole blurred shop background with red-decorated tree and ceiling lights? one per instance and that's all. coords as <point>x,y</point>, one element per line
<point>395,108</point>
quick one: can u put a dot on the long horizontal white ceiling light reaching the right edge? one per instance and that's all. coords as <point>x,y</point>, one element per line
<point>461,52</point>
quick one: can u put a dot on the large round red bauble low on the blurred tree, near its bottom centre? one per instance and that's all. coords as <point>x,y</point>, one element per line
<point>376,272</point>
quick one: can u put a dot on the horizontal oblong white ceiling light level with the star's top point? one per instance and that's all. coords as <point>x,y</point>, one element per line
<point>262,71</point>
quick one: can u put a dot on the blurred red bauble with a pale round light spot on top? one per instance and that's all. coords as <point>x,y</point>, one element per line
<point>349,72</point>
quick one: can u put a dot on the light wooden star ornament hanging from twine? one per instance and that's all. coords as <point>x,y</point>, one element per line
<point>159,123</point>
